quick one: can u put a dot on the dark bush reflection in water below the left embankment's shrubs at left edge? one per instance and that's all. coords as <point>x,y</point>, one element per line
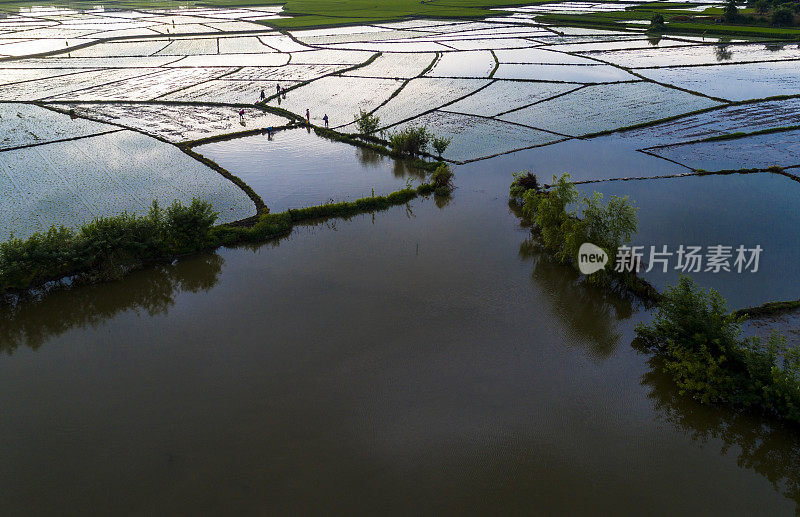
<point>32,322</point>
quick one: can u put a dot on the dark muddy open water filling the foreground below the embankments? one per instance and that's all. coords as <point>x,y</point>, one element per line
<point>426,359</point>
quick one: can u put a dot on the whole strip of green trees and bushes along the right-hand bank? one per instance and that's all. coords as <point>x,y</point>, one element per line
<point>696,340</point>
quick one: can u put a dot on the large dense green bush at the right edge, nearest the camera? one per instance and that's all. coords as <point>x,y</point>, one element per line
<point>702,349</point>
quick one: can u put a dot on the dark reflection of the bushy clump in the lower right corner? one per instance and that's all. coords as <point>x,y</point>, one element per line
<point>767,447</point>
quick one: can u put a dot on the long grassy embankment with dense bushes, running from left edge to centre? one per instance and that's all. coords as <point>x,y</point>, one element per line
<point>111,247</point>
